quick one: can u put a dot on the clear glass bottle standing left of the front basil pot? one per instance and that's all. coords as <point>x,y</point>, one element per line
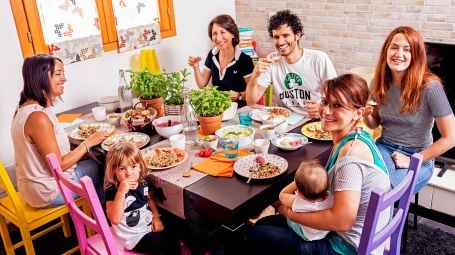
<point>189,119</point>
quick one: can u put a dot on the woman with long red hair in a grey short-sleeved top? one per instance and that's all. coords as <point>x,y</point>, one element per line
<point>410,99</point>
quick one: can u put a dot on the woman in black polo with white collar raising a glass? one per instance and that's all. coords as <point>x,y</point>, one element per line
<point>229,68</point>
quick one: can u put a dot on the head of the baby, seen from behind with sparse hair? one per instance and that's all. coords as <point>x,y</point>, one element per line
<point>312,180</point>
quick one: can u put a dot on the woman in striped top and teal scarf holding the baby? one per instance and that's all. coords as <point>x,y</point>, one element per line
<point>355,167</point>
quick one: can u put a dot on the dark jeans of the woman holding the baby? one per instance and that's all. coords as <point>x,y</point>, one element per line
<point>272,235</point>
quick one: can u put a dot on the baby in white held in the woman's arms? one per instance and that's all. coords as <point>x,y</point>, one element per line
<point>308,192</point>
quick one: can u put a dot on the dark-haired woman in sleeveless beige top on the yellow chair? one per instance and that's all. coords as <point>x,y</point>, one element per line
<point>35,133</point>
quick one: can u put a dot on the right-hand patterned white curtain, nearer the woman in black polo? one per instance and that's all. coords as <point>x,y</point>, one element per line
<point>137,23</point>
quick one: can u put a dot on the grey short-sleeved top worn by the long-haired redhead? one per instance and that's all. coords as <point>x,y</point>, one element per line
<point>413,130</point>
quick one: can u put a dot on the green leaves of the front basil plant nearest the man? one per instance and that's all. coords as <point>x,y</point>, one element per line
<point>210,102</point>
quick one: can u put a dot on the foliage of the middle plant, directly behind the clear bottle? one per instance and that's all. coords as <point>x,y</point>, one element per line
<point>174,86</point>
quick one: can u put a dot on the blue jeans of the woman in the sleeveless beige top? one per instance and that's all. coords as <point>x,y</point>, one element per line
<point>88,168</point>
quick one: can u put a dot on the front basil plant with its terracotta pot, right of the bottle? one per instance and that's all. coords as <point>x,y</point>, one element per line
<point>209,105</point>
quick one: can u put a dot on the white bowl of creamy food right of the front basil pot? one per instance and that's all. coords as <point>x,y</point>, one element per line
<point>244,134</point>
